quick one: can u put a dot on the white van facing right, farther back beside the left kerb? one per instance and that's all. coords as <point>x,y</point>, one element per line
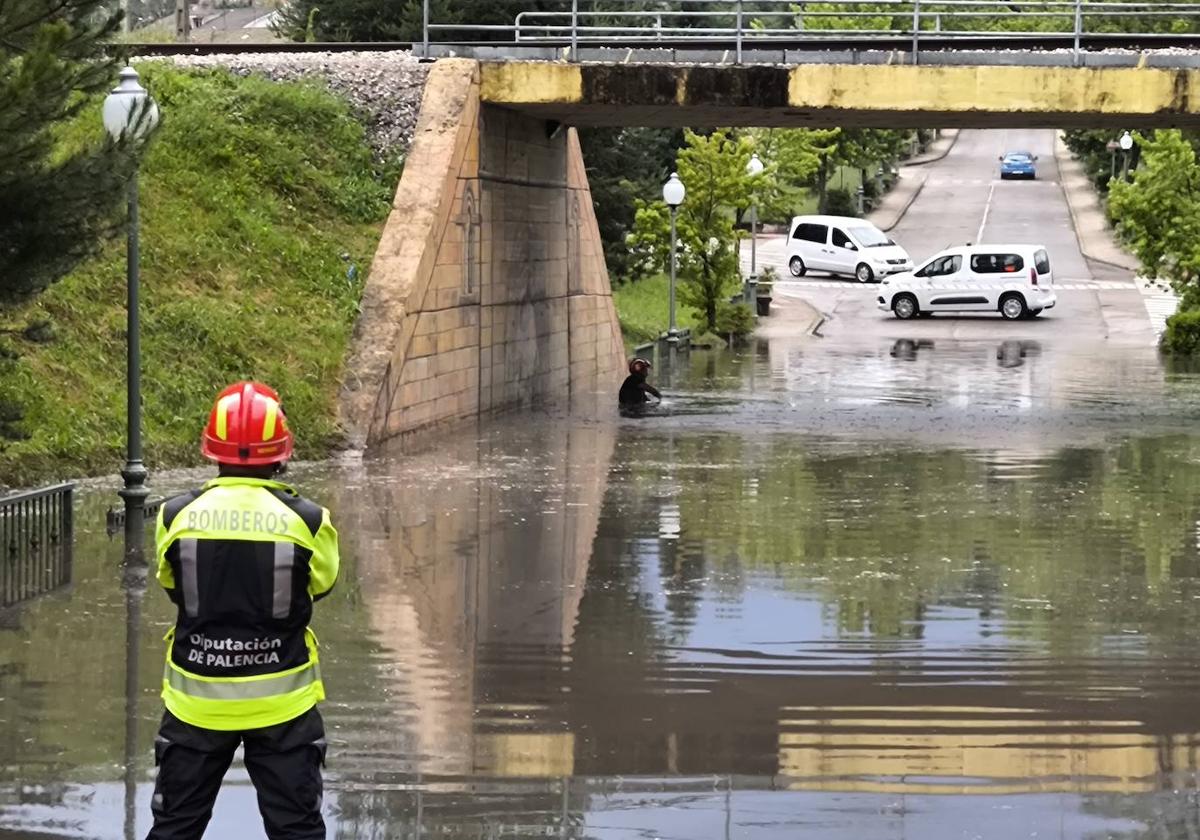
<point>844,245</point>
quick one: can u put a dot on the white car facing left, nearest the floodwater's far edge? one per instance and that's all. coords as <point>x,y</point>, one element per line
<point>1013,280</point>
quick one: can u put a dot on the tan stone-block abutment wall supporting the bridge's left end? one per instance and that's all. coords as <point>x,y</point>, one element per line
<point>489,290</point>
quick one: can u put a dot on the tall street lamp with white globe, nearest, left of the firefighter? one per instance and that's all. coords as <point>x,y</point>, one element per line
<point>130,115</point>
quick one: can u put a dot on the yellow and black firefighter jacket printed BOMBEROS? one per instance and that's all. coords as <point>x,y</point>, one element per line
<point>244,560</point>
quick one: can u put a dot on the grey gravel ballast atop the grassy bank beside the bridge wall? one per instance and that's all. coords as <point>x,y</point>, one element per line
<point>385,87</point>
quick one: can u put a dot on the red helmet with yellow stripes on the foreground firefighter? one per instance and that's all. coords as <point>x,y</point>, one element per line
<point>248,428</point>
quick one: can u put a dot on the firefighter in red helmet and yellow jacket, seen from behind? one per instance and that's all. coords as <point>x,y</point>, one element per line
<point>243,559</point>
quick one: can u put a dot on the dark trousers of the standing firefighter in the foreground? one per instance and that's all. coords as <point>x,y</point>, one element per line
<point>284,763</point>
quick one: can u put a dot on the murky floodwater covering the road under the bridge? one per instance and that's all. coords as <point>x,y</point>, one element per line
<point>931,591</point>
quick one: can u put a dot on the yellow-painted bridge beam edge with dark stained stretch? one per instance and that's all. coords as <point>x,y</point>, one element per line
<point>857,88</point>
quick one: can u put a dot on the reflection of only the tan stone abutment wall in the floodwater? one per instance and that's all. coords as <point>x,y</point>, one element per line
<point>464,565</point>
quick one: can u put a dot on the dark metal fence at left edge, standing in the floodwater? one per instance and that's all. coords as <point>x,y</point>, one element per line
<point>37,530</point>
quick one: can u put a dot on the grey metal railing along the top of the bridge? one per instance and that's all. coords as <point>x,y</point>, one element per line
<point>743,26</point>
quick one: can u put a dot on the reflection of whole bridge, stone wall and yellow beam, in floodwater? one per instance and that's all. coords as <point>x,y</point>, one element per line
<point>497,667</point>
